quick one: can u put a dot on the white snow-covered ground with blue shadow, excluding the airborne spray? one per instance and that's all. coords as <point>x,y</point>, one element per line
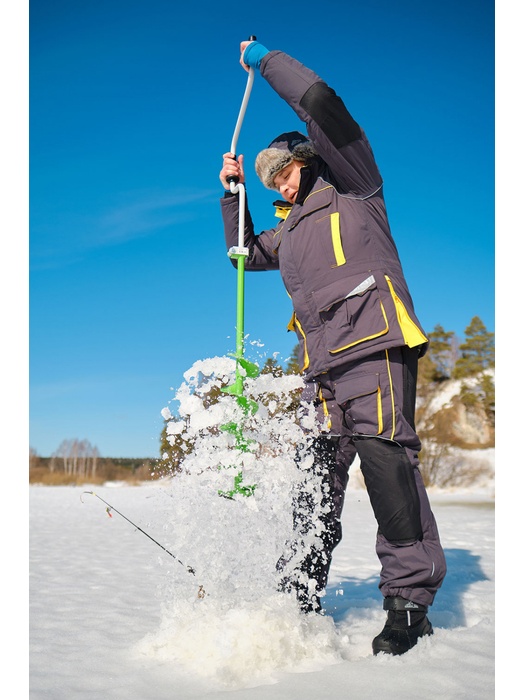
<point>104,622</point>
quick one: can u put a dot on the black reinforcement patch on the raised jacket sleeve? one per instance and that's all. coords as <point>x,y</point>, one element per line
<point>329,111</point>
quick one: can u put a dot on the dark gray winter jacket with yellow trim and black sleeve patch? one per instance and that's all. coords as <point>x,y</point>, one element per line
<point>333,247</point>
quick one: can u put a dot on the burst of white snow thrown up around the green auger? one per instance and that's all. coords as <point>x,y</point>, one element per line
<point>244,629</point>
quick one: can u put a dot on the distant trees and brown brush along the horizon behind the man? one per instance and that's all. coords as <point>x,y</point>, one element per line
<point>471,362</point>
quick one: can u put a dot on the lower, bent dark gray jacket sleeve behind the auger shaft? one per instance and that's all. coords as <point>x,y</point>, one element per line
<point>263,247</point>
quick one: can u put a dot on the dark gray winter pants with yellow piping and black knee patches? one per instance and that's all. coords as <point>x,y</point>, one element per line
<point>372,405</point>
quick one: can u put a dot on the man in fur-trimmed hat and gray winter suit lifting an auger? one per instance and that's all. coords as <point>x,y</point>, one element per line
<point>354,318</point>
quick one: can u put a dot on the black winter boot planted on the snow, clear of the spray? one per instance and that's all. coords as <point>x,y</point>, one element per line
<point>406,623</point>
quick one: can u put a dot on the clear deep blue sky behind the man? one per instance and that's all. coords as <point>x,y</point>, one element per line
<point>132,105</point>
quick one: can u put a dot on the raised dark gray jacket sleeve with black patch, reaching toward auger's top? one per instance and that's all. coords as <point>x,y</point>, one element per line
<point>336,136</point>
